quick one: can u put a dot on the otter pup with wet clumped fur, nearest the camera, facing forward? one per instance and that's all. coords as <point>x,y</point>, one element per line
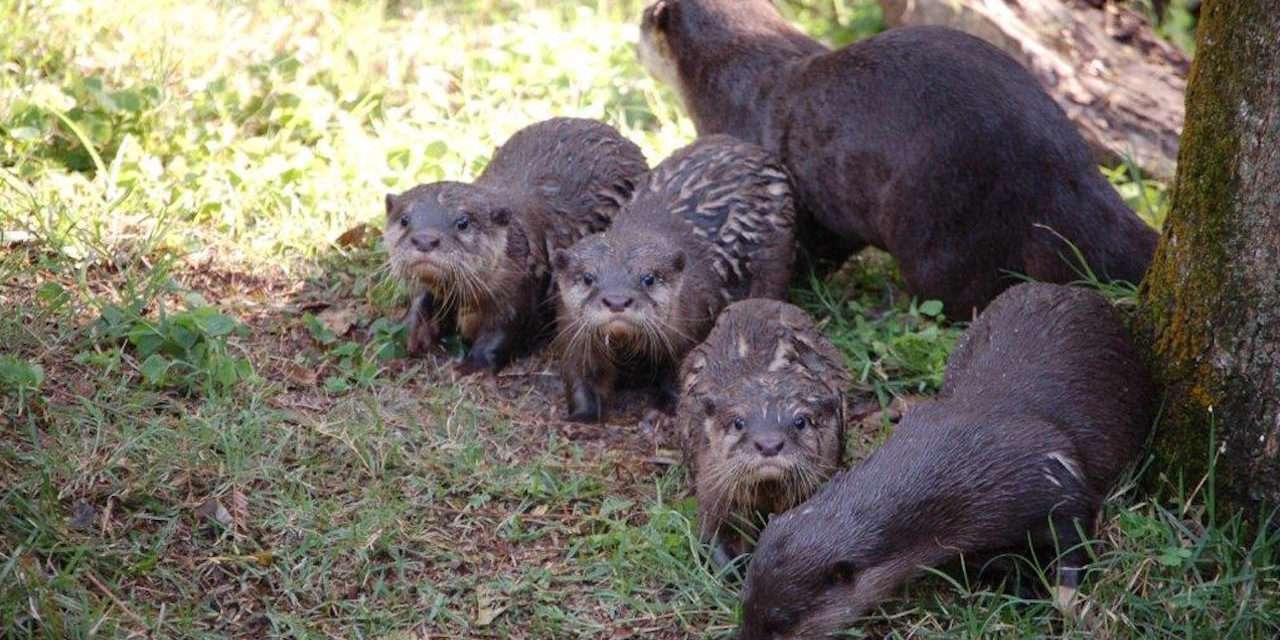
<point>762,414</point>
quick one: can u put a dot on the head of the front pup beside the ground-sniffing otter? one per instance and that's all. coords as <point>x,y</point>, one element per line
<point>771,441</point>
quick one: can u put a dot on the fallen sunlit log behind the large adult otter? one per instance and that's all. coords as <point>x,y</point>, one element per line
<point>1118,81</point>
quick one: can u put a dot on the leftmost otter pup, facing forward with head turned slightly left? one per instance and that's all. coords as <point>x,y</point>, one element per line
<point>479,254</point>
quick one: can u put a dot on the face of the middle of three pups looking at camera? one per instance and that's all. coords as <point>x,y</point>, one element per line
<point>621,292</point>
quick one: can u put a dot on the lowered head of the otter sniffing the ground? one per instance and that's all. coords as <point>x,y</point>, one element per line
<point>816,572</point>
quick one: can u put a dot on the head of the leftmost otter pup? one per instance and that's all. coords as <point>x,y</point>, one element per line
<point>450,237</point>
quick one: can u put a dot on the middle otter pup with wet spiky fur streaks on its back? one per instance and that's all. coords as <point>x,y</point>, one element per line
<point>710,226</point>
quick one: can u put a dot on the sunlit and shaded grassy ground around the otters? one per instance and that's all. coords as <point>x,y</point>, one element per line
<point>207,424</point>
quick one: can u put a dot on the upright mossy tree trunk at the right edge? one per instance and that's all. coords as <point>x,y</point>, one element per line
<point>1212,301</point>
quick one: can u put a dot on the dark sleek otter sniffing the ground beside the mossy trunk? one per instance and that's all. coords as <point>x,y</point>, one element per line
<point>1044,405</point>
